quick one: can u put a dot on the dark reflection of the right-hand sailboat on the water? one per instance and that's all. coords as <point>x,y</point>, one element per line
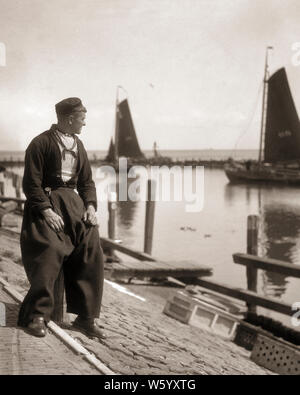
<point>279,228</point>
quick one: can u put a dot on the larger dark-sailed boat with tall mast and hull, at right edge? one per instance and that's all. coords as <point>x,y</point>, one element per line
<point>279,150</point>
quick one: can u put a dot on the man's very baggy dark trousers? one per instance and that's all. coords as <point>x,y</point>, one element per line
<point>44,253</point>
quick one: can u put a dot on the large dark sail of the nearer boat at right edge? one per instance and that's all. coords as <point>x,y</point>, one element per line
<point>282,136</point>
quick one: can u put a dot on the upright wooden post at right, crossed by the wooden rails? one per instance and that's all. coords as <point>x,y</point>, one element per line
<point>252,248</point>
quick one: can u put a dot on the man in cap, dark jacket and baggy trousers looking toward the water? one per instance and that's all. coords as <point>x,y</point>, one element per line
<point>59,229</point>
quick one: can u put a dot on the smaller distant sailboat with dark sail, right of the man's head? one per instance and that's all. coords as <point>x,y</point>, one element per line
<point>125,142</point>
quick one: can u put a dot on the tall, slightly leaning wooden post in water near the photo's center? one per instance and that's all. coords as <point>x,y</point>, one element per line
<point>149,221</point>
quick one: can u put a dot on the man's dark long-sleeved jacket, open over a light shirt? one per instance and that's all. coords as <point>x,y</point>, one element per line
<point>43,169</point>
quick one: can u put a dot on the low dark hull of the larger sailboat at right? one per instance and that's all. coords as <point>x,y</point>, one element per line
<point>239,174</point>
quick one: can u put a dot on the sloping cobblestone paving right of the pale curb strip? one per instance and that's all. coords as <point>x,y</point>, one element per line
<point>142,340</point>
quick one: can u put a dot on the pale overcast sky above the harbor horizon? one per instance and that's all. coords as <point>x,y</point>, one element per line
<point>192,68</point>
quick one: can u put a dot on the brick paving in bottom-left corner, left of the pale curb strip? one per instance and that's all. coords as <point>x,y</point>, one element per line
<point>22,354</point>
